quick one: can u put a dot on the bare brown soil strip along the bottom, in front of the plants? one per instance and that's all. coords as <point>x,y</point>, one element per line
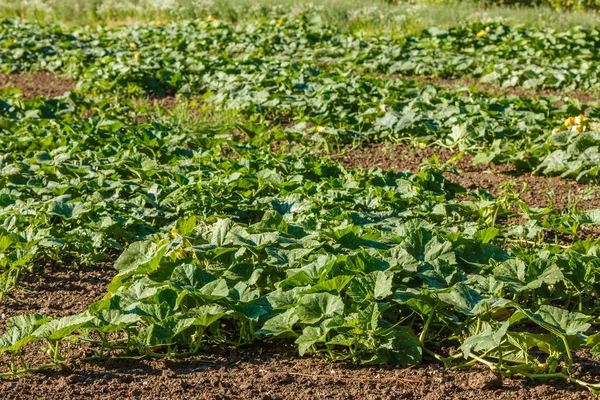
<point>261,373</point>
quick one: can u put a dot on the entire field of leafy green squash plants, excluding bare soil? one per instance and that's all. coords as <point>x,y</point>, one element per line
<point>222,240</point>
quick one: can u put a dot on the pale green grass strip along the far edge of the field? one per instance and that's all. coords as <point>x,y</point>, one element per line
<point>373,17</point>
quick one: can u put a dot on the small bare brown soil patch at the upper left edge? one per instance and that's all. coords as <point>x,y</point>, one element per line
<point>43,84</point>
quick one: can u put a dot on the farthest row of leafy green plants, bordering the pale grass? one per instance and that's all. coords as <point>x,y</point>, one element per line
<point>176,54</point>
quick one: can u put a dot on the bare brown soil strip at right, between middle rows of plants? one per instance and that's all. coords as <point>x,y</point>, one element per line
<point>488,177</point>
